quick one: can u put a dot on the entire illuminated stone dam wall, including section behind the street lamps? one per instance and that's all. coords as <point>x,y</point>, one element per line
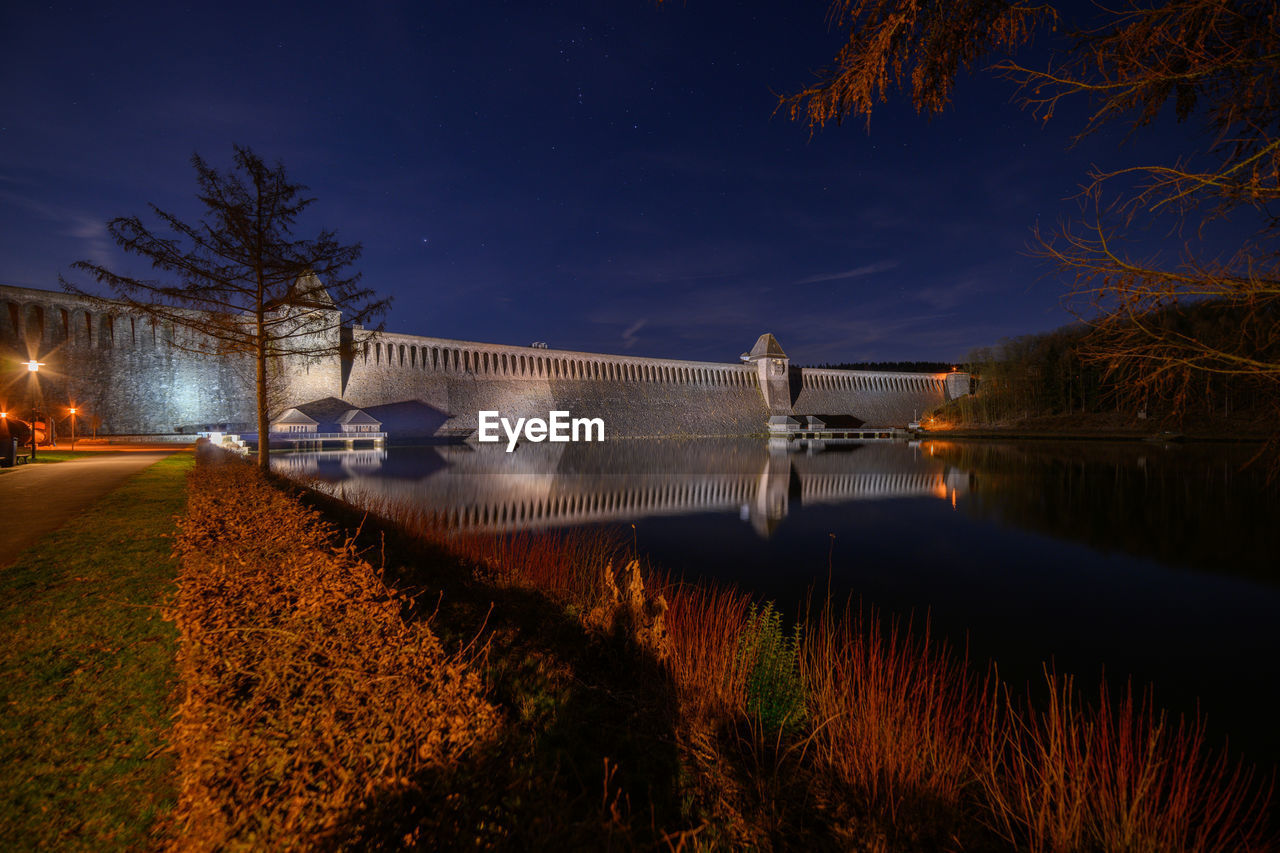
<point>129,375</point>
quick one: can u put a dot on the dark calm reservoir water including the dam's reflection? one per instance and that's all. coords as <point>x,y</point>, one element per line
<point>1127,562</point>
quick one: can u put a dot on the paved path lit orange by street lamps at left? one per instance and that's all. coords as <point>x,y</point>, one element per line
<point>36,500</point>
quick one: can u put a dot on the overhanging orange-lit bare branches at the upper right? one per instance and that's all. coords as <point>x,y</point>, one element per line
<point>1217,62</point>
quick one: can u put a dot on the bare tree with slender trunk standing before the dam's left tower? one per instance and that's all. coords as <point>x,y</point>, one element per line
<point>239,281</point>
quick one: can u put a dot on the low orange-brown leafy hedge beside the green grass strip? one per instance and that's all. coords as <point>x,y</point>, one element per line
<point>308,701</point>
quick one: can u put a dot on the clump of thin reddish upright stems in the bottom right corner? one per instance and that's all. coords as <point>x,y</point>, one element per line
<point>1119,777</point>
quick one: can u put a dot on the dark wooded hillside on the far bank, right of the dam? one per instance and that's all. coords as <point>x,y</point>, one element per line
<point>1081,371</point>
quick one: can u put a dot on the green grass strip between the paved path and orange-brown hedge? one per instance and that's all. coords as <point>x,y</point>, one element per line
<point>88,673</point>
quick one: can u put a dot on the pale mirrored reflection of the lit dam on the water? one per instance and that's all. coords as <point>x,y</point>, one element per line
<point>484,490</point>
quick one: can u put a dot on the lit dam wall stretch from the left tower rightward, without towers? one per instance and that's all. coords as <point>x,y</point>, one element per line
<point>636,398</point>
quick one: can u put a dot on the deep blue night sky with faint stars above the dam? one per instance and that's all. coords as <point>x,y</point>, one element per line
<point>601,176</point>
